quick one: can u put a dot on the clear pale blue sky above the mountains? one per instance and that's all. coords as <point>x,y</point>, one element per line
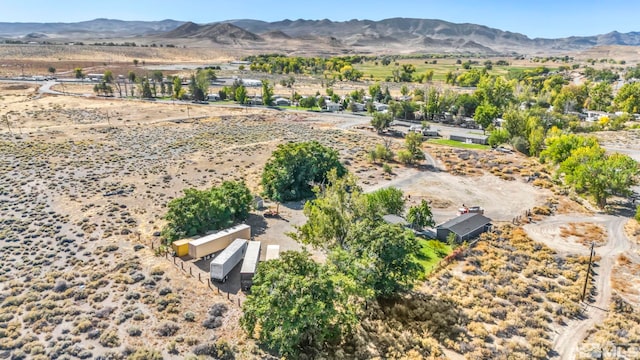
<point>543,18</point>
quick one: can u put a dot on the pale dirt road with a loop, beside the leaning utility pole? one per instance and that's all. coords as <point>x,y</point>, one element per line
<point>548,232</point>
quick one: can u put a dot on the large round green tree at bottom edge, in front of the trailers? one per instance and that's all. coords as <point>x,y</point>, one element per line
<point>298,306</point>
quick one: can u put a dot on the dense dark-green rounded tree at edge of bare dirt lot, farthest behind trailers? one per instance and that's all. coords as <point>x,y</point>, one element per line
<point>294,168</point>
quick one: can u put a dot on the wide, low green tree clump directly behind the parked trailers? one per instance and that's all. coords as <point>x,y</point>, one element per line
<point>199,211</point>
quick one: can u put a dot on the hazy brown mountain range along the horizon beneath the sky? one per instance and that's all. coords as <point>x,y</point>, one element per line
<point>404,35</point>
